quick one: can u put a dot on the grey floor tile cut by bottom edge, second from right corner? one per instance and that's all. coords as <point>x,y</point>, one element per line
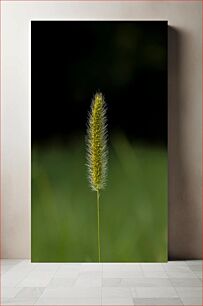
<point>157,301</point>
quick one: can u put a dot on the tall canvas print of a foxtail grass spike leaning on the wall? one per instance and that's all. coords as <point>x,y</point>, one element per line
<point>99,141</point>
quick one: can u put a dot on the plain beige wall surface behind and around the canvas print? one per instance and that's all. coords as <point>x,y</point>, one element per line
<point>184,105</point>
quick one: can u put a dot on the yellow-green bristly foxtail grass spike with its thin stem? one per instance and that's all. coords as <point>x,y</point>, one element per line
<point>97,152</point>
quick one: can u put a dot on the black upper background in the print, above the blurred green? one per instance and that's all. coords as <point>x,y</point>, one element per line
<point>126,61</point>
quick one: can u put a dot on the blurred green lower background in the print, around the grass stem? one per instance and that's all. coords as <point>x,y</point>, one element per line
<point>133,206</point>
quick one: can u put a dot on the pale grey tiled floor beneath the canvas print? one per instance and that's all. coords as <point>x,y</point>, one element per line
<point>172,283</point>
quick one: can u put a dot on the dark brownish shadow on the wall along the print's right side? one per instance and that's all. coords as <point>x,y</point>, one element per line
<point>184,203</point>
